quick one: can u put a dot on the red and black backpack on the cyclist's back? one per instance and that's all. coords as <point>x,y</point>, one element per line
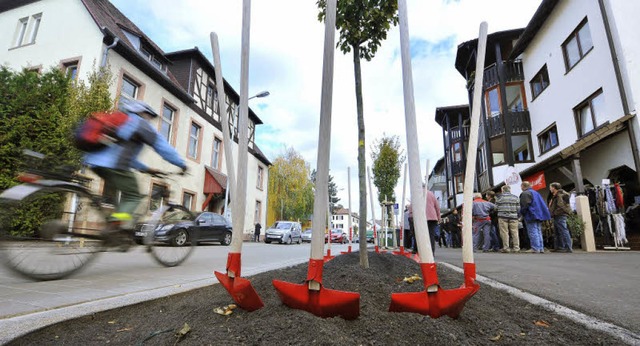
<point>98,131</point>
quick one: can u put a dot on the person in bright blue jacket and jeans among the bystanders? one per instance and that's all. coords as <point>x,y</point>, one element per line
<point>534,210</point>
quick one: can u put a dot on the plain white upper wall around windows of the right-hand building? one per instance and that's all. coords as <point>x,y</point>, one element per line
<point>568,89</point>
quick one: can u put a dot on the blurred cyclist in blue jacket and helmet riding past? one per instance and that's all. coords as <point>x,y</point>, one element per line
<point>114,162</point>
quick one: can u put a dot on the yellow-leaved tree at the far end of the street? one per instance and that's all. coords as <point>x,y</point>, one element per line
<point>290,187</point>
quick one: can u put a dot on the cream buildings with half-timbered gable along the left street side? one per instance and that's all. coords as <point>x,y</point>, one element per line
<point>80,35</point>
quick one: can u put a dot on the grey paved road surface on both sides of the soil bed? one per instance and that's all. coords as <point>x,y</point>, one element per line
<point>602,285</point>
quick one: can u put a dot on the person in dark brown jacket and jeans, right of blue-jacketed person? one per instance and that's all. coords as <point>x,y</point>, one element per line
<point>560,209</point>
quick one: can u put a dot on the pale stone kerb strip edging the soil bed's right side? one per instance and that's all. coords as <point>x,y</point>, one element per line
<point>586,320</point>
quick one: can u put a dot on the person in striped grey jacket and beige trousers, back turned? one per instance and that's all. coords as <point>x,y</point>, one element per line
<point>507,205</point>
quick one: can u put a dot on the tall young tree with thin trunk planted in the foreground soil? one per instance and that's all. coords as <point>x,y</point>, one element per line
<point>363,25</point>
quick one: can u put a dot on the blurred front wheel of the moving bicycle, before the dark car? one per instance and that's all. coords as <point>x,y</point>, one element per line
<point>163,246</point>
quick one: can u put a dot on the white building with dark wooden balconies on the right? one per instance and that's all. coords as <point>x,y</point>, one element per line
<point>558,105</point>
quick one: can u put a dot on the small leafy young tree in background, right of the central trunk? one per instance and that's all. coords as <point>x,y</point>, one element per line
<point>387,161</point>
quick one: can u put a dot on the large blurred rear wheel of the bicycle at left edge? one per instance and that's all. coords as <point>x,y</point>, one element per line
<point>49,234</point>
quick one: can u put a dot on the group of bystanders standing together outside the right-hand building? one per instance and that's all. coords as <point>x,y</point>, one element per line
<point>506,209</point>
